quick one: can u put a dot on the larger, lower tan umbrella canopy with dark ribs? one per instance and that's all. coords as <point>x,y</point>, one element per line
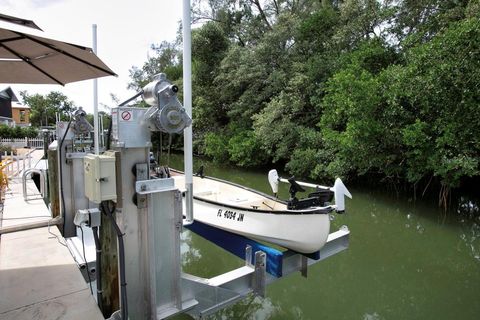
<point>30,59</point>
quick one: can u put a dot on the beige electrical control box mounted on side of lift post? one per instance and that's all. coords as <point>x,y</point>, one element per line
<point>100,179</point>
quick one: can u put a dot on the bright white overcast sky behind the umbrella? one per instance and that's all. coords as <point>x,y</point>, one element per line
<point>125,31</point>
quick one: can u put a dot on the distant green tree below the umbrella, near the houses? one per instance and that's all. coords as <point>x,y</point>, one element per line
<point>44,107</point>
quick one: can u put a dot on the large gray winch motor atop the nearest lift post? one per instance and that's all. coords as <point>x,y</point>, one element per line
<point>167,113</point>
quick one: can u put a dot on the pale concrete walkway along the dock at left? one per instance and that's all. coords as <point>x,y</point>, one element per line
<point>38,277</point>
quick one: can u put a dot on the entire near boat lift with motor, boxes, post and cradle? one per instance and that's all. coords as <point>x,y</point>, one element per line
<point>150,216</point>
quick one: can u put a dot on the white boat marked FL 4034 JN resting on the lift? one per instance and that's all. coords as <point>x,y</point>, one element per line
<point>253,214</point>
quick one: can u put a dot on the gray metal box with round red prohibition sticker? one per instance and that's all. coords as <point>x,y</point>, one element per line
<point>129,128</point>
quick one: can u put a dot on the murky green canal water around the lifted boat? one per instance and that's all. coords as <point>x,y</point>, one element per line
<point>406,260</point>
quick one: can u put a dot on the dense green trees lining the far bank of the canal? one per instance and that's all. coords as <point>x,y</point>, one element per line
<point>336,88</point>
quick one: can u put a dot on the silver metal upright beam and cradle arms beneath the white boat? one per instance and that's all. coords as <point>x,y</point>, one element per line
<point>173,292</point>
